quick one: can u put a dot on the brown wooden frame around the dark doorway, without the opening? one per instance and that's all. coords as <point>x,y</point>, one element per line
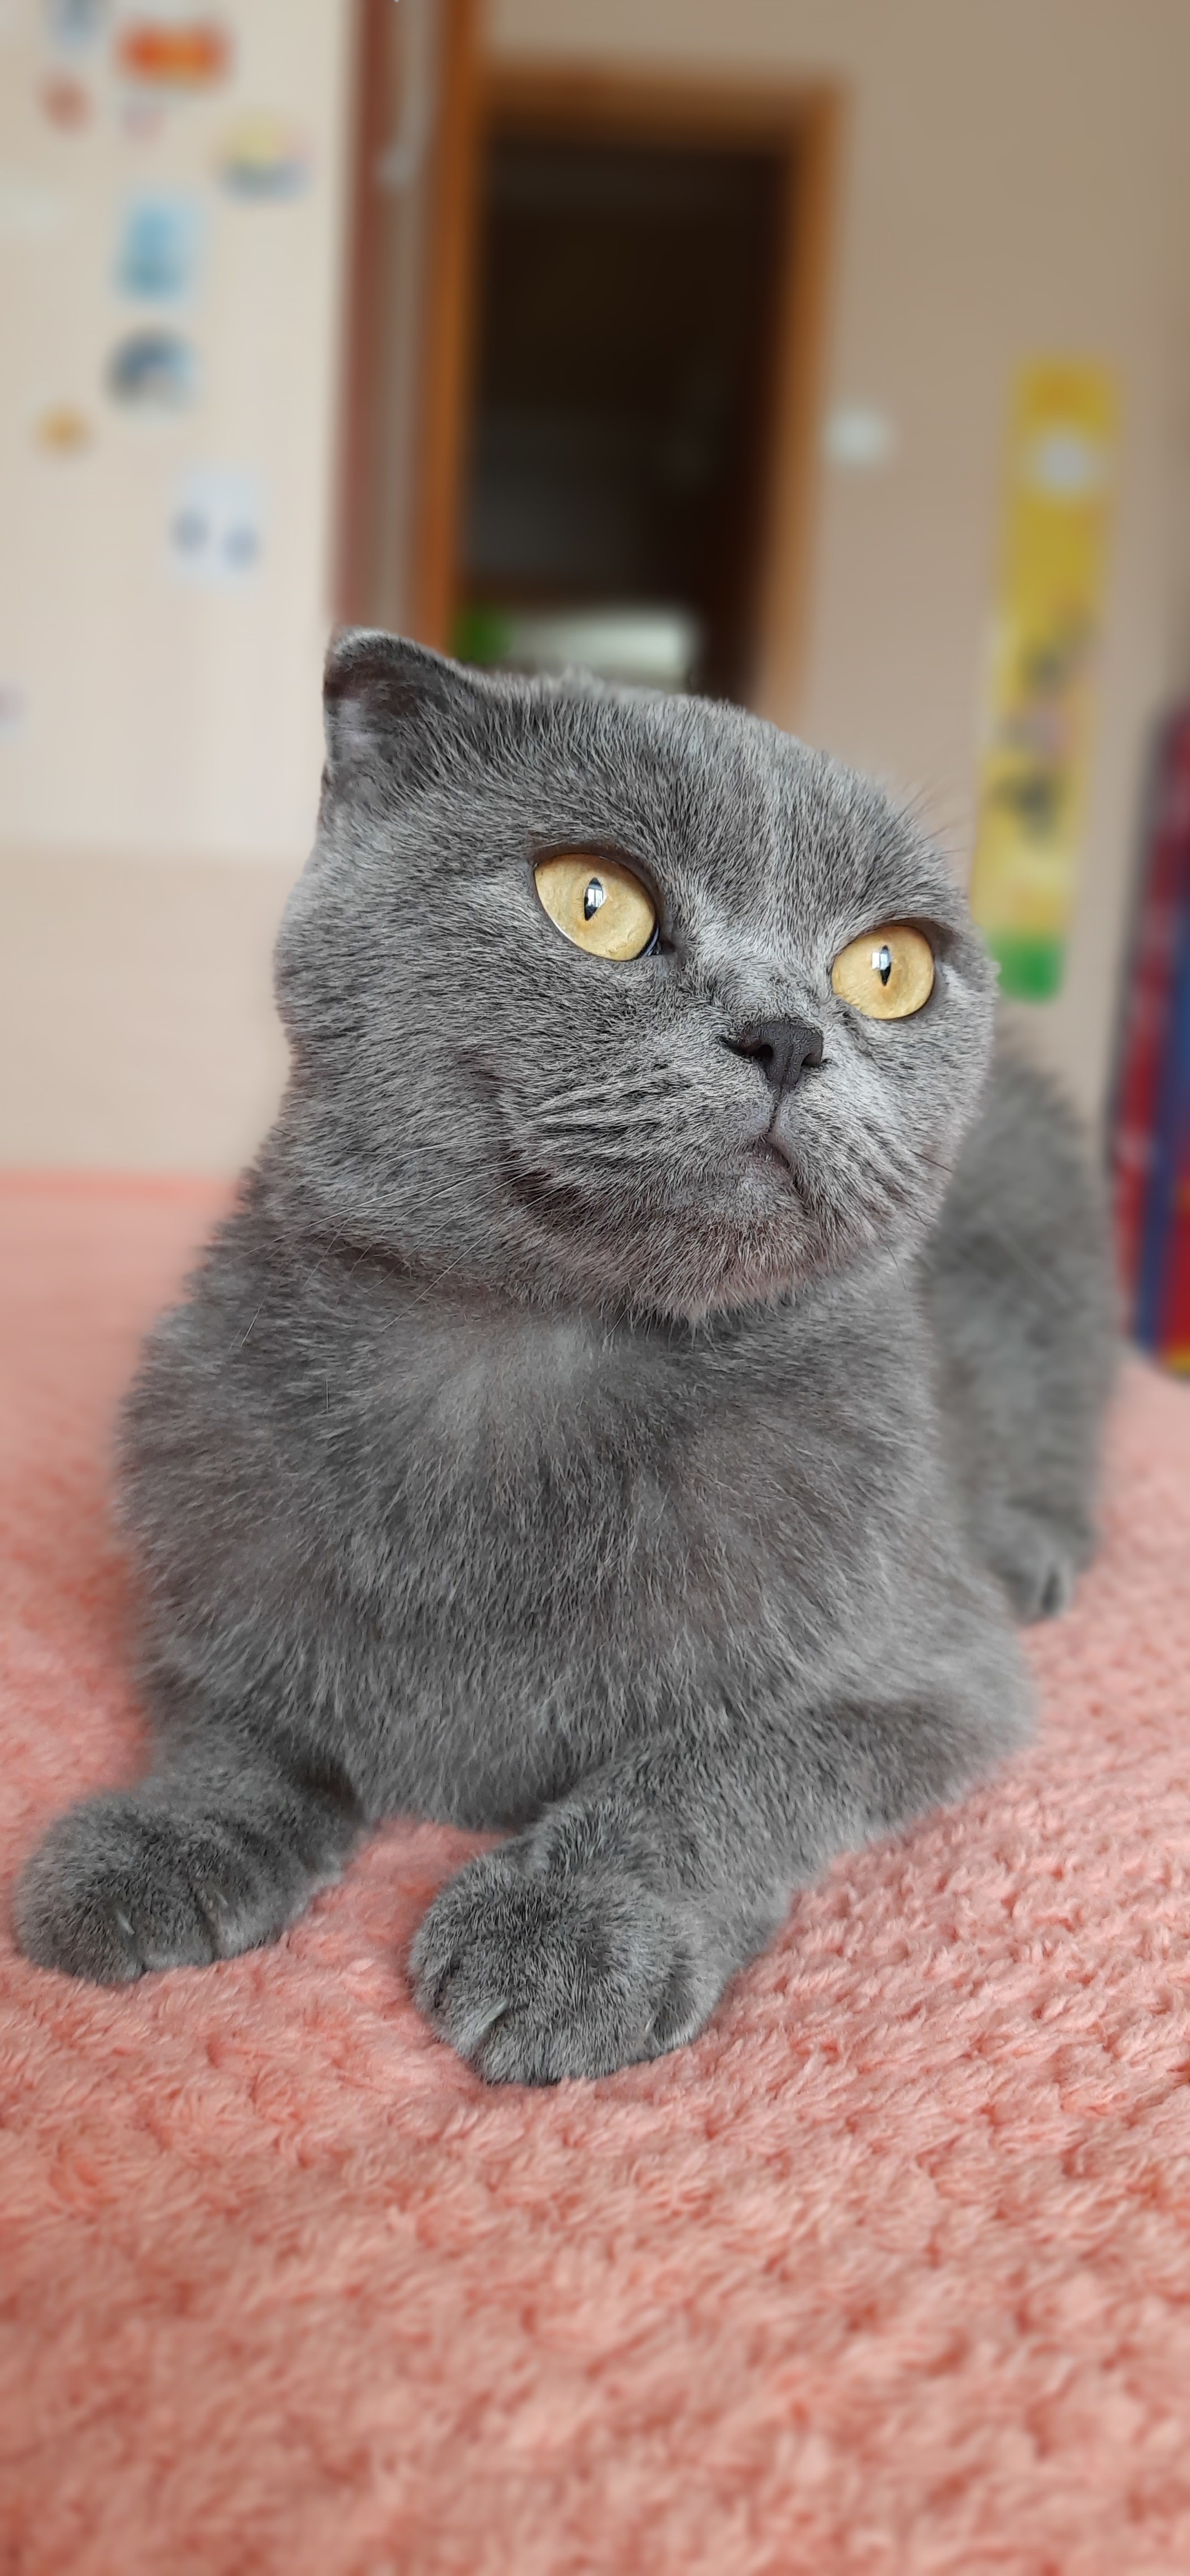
<point>802,122</point>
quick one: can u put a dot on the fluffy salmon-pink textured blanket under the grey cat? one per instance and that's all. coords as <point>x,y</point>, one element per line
<point>887,2273</point>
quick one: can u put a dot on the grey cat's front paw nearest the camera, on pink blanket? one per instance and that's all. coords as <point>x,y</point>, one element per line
<point>537,1977</point>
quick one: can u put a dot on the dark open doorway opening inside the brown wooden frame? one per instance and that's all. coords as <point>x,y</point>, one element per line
<point>619,401</point>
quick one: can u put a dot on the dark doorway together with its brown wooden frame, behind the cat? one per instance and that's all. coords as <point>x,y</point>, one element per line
<point>622,295</point>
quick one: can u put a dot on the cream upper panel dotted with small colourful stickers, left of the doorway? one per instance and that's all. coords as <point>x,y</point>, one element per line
<point>161,715</point>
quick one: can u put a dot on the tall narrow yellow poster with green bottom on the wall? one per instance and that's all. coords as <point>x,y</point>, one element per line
<point>1044,640</point>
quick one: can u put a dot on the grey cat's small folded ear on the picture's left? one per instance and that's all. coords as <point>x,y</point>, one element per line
<point>393,705</point>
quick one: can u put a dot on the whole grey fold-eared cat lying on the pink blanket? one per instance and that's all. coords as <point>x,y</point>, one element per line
<point>599,1416</point>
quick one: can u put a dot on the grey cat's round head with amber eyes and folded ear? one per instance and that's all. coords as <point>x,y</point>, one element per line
<point>591,993</point>
